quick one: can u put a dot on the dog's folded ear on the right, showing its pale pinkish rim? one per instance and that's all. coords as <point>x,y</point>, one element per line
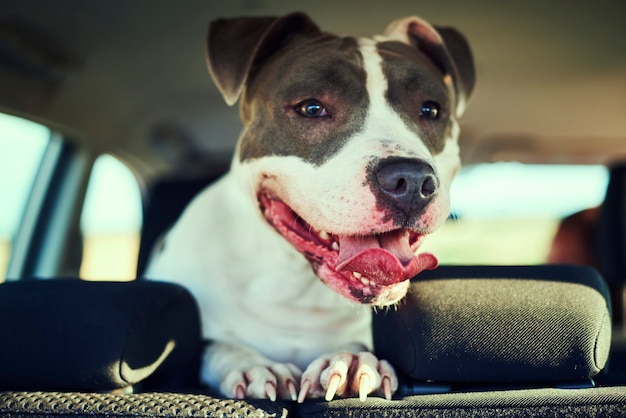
<point>447,48</point>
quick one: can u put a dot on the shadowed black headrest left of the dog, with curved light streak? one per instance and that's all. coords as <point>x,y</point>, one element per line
<point>68,334</point>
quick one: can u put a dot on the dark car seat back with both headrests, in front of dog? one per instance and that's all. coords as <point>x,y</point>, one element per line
<point>501,341</point>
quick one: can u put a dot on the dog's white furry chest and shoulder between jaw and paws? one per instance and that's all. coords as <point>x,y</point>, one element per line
<point>252,287</point>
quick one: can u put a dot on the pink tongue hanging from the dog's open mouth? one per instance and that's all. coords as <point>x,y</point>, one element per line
<point>386,259</point>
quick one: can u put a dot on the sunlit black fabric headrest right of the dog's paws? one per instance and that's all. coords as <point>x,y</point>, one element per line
<point>499,324</point>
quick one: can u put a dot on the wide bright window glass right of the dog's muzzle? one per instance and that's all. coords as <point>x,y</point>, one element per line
<point>508,213</point>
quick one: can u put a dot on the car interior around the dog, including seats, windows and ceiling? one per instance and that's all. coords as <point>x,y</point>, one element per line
<point>110,124</point>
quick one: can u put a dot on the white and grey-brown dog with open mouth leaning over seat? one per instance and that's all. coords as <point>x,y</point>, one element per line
<point>344,165</point>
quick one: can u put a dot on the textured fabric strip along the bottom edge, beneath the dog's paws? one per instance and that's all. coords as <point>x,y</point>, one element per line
<point>594,402</point>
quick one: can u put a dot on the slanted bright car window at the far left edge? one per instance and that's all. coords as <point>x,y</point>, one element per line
<point>22,145</point>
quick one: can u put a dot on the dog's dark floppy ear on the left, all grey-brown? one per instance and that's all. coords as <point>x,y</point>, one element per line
<point>234,46</point>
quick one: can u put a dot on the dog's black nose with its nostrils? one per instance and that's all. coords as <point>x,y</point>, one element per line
<point>408,185</point>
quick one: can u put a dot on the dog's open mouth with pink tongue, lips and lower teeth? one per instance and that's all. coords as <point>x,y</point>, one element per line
<point>362,267</point>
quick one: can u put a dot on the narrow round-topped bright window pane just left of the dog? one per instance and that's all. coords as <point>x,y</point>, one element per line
<point>111,222</point>
